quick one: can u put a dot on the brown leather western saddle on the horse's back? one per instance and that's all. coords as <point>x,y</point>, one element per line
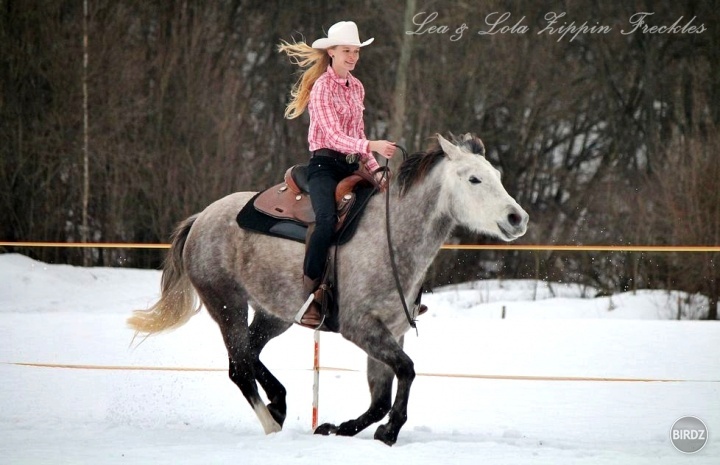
<point>290,200</point>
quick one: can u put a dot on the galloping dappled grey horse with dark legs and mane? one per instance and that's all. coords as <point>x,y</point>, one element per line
<point>229,268</point>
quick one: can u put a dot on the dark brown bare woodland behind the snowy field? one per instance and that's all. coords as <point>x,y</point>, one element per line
<point>187,105</point>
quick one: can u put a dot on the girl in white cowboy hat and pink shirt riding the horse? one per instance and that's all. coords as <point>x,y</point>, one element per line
<point>334,99</point>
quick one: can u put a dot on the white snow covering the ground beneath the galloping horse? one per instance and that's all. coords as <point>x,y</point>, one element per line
<point>563,378</point>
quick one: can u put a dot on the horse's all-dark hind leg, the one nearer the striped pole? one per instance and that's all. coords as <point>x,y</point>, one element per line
<point>264,327</point>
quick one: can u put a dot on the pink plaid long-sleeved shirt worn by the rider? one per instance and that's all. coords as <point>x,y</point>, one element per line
<point>336,117</point>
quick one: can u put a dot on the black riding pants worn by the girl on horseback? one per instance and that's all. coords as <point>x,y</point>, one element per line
<point>324,174</point>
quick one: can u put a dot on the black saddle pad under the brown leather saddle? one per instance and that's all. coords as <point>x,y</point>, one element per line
<point>252,220</point>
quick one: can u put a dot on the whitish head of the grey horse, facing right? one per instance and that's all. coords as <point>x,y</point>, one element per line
<point>476,196</point>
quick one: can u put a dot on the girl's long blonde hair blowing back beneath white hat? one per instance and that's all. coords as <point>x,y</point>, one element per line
<point>314,62</point>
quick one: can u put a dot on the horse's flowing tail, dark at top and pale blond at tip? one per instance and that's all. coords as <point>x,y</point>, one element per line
<point>178,301</point>
